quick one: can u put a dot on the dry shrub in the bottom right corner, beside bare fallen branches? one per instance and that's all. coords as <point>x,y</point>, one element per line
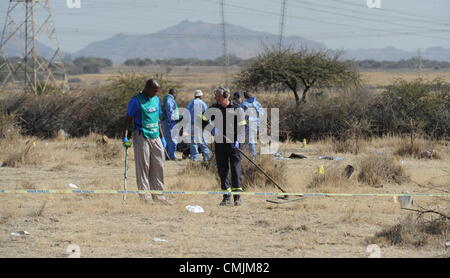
<point>415,232</point>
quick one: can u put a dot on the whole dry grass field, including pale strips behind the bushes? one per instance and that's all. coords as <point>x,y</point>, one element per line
<point>105,226</point>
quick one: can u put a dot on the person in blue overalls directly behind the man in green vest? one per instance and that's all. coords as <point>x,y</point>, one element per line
<point>170,116</point>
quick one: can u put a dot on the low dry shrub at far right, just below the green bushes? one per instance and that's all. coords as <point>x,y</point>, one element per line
<point>417,149</point>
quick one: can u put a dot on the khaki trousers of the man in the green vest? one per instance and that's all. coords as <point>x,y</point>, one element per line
<point>149,158</point>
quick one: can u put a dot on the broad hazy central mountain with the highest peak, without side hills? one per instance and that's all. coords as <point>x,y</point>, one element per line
<point>189,40</point>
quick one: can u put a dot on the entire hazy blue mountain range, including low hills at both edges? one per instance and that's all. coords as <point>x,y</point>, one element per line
<point>204,41</point>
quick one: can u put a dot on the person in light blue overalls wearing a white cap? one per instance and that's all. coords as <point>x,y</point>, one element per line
<point>196,108</point>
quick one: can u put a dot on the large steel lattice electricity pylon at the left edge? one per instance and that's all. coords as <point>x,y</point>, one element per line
<point>27,21</point>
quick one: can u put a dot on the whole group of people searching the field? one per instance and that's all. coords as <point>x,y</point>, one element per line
<point>152,124</point>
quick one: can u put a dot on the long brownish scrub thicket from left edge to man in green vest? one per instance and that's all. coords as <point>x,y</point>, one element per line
<point>101,110</point>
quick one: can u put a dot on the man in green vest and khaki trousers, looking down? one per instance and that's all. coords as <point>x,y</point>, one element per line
<point>144,112</point>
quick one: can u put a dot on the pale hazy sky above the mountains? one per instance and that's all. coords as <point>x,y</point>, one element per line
<point>343,24</point>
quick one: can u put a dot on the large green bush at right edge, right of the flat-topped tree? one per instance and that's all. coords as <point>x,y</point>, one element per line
<point>411,107</point>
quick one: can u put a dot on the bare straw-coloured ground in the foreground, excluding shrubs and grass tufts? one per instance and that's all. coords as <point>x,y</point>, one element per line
<point>104,226</point>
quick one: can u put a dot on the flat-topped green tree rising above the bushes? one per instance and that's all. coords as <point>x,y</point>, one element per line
<point>298,70</point>
